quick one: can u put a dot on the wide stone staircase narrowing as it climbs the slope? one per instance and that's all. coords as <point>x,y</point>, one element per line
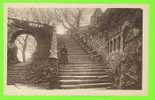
<point>81,71</point>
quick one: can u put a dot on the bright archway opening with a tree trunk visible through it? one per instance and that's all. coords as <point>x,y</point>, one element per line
<point>26,45</point>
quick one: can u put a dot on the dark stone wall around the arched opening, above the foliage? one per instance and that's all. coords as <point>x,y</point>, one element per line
<point>43,36</point>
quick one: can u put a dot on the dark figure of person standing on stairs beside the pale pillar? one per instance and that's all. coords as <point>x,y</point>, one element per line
<point>64,55</point>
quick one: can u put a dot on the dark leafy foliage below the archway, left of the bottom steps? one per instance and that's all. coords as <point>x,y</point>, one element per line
<point>42,72</point>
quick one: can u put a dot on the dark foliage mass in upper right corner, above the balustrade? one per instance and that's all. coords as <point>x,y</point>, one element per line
<point>112,18</point>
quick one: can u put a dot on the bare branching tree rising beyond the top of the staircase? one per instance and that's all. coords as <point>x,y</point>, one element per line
<point>70,18</point>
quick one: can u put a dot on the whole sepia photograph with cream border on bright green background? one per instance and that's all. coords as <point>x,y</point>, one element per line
<point>75,49</point>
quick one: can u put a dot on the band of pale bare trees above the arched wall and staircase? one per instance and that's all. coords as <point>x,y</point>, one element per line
<point>70,18</point>
